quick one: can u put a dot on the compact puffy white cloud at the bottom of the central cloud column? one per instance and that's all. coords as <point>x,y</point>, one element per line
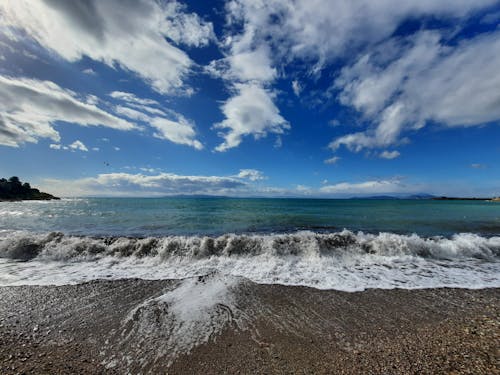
<point>250,112</point>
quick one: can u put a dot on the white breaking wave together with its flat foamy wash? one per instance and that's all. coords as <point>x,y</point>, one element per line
<point>342,260</point>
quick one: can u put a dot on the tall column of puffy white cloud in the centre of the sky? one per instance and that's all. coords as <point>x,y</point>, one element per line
<point>248,71</point>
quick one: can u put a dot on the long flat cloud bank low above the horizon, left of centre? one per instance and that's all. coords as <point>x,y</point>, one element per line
<point>127,184</point>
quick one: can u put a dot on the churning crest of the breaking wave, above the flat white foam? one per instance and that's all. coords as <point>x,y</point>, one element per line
<point>57,246</point>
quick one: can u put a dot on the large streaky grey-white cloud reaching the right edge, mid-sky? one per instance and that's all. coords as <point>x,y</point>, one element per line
<point>427,81</point>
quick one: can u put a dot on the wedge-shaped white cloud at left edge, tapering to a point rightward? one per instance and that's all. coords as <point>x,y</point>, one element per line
<point>29,108</point>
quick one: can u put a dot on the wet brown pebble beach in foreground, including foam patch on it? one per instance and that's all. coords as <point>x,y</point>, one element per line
<point>126,326</point>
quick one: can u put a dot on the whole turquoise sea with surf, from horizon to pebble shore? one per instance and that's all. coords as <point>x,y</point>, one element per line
<point>348,244</point>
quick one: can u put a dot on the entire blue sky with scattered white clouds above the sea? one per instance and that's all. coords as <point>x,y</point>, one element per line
<point>312,98</point>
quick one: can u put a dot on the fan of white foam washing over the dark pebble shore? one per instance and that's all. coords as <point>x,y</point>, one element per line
<point>192,313</point>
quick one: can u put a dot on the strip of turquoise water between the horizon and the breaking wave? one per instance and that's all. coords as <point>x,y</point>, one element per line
<point>215,216</point>
